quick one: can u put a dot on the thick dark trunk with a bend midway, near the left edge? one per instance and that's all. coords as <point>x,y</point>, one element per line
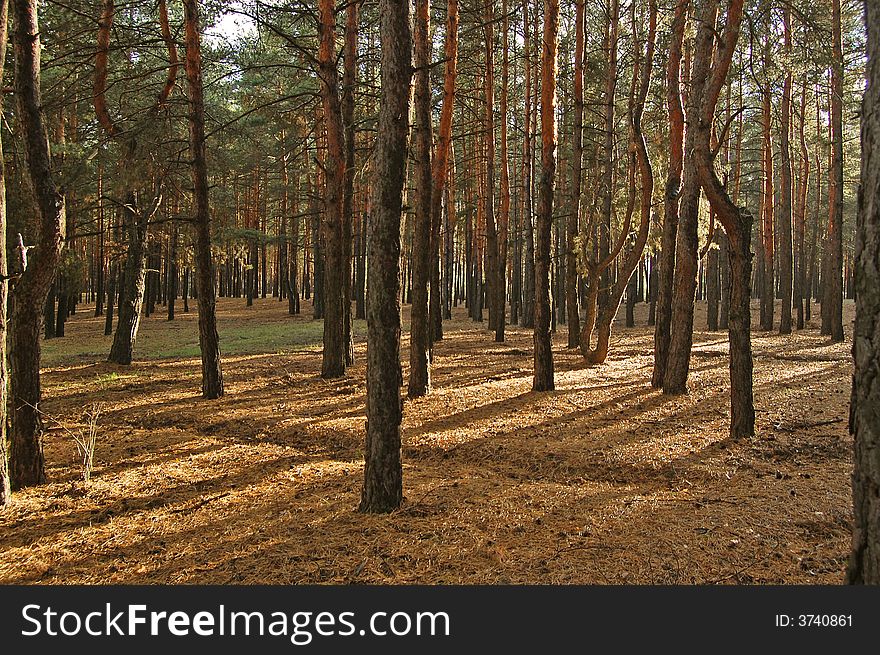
<point>26,464</point>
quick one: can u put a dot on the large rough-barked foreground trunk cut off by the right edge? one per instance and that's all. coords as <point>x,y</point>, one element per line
<point>864,562</point>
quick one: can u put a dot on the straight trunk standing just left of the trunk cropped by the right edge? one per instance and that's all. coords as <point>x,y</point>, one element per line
<point>832,301</point>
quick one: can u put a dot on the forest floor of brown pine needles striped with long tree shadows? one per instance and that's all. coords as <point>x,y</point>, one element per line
<point>604,480</point>
